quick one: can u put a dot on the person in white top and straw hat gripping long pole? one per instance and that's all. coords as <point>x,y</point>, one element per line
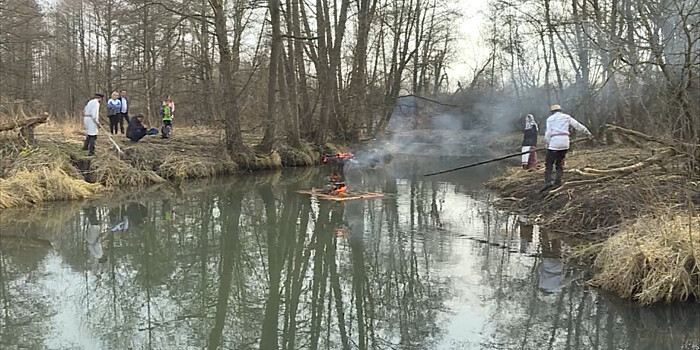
<point>557,138</point>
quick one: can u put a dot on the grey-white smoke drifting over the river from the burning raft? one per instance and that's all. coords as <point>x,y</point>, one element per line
<point>420,128</point>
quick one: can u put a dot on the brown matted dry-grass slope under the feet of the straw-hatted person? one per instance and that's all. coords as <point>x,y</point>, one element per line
<point>595,207</point>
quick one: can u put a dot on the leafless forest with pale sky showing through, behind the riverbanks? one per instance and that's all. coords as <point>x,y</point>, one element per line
<point>317,70</point>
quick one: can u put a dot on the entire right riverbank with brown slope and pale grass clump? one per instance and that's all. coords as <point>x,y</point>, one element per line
<point>634,207</point>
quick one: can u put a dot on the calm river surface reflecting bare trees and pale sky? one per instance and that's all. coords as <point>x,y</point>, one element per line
<point>248,263</point>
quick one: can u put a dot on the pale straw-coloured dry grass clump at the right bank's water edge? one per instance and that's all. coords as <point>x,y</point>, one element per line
<point>651,260</point>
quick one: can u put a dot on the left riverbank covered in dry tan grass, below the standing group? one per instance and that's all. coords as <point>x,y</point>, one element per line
<point>54,167</point>
